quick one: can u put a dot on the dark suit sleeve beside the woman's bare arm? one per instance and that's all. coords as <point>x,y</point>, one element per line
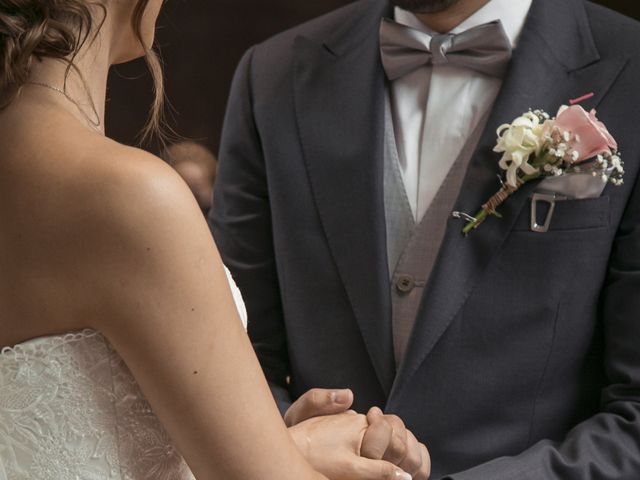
<point>241,224</point>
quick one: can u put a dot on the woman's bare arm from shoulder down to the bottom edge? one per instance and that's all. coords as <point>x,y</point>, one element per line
<point>157,289</point>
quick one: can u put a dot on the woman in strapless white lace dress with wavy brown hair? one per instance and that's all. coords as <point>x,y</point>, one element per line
<point>99,237</point>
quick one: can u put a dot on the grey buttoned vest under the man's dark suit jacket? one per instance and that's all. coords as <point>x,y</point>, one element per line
<point>412,249</point>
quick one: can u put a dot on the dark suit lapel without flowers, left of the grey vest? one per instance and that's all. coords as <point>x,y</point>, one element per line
<point>339,100</point>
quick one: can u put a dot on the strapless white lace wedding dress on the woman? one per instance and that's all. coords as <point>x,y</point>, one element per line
<point>71,410</point>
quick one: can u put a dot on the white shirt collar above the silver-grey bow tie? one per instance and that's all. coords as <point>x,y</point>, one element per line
<point>512,14</point>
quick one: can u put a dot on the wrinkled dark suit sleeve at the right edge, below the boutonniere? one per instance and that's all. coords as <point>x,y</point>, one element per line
<point>607,445</point>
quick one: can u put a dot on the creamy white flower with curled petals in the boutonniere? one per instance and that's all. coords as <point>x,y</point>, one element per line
<point>518,142</point>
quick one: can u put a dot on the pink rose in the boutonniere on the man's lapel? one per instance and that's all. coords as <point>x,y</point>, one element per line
<point>589,137</point>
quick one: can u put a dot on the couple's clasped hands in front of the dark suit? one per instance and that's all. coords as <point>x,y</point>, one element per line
<point>344,445</point>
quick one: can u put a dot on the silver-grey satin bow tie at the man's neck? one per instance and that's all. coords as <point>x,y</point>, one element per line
<point>485,49</point>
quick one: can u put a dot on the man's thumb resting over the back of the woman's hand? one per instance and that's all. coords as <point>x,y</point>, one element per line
<point>318,403</point>
